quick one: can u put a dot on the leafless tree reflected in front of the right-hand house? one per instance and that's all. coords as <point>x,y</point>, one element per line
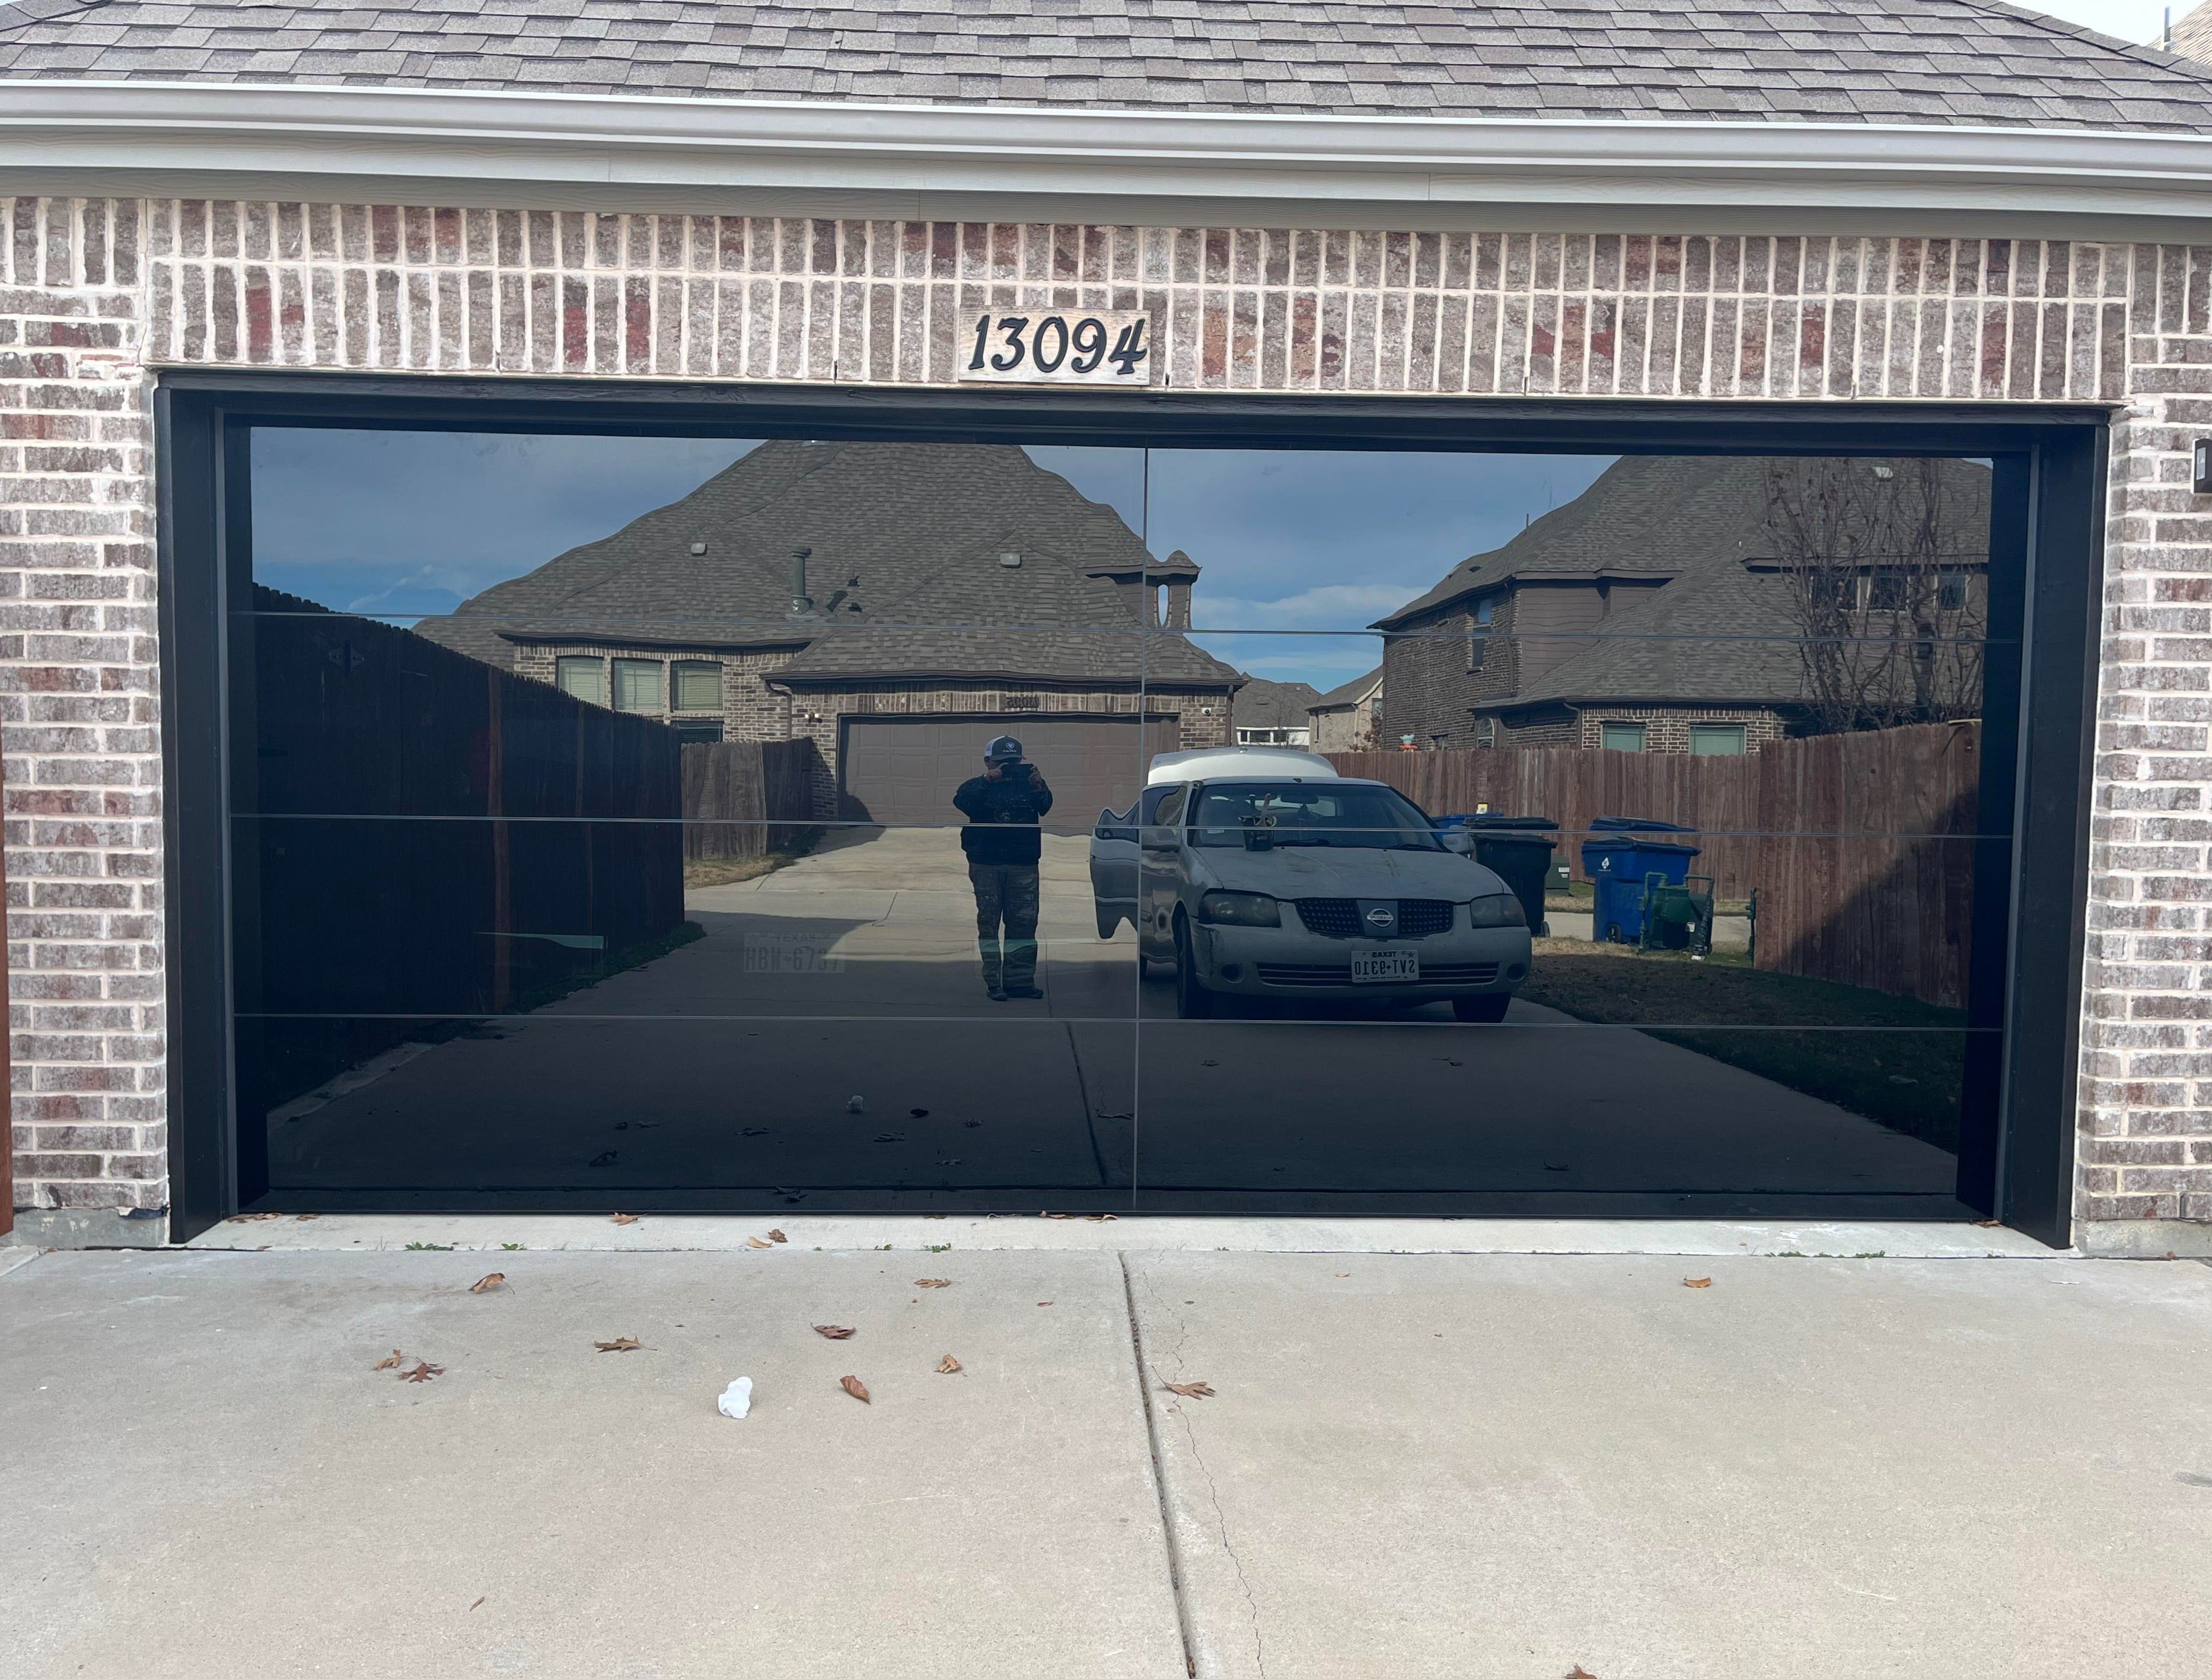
<point>1888,574</point>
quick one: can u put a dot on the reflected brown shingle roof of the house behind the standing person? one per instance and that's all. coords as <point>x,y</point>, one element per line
<point>906,574</point>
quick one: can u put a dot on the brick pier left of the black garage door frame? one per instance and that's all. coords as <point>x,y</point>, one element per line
<point>79,711</point>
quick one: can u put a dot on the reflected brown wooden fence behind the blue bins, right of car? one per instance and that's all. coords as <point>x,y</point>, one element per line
<point>1859,846</point>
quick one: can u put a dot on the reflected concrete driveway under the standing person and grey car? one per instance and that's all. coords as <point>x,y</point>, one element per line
<point>831,1034</point>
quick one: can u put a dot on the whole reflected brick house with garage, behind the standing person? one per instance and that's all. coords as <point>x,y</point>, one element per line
<point>897,605</point>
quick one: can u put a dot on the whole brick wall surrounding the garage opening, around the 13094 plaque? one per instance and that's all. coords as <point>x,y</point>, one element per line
<point>98,295</point>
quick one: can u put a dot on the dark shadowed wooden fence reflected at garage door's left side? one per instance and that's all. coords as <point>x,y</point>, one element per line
<point>424,839</point>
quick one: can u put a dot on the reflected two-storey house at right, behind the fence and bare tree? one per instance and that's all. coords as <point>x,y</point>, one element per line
<point>1709,607</point>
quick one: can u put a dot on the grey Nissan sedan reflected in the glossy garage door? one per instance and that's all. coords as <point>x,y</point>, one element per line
<point>1328,888</point>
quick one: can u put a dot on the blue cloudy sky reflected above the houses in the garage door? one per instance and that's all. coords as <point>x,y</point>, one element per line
<point>1297,550</point>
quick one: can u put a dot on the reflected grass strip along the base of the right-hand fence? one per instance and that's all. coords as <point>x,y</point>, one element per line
<point>1908,1081</point>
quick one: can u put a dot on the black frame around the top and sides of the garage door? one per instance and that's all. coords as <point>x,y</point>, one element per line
<point>2047,547</point>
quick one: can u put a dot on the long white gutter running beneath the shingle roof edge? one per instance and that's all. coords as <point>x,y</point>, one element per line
<point>205,138</point>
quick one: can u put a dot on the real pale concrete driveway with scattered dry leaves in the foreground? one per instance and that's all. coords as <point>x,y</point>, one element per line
<point>1477,1466</point>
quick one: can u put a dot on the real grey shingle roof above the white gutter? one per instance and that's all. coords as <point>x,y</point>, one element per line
<point>1782,61</point>
